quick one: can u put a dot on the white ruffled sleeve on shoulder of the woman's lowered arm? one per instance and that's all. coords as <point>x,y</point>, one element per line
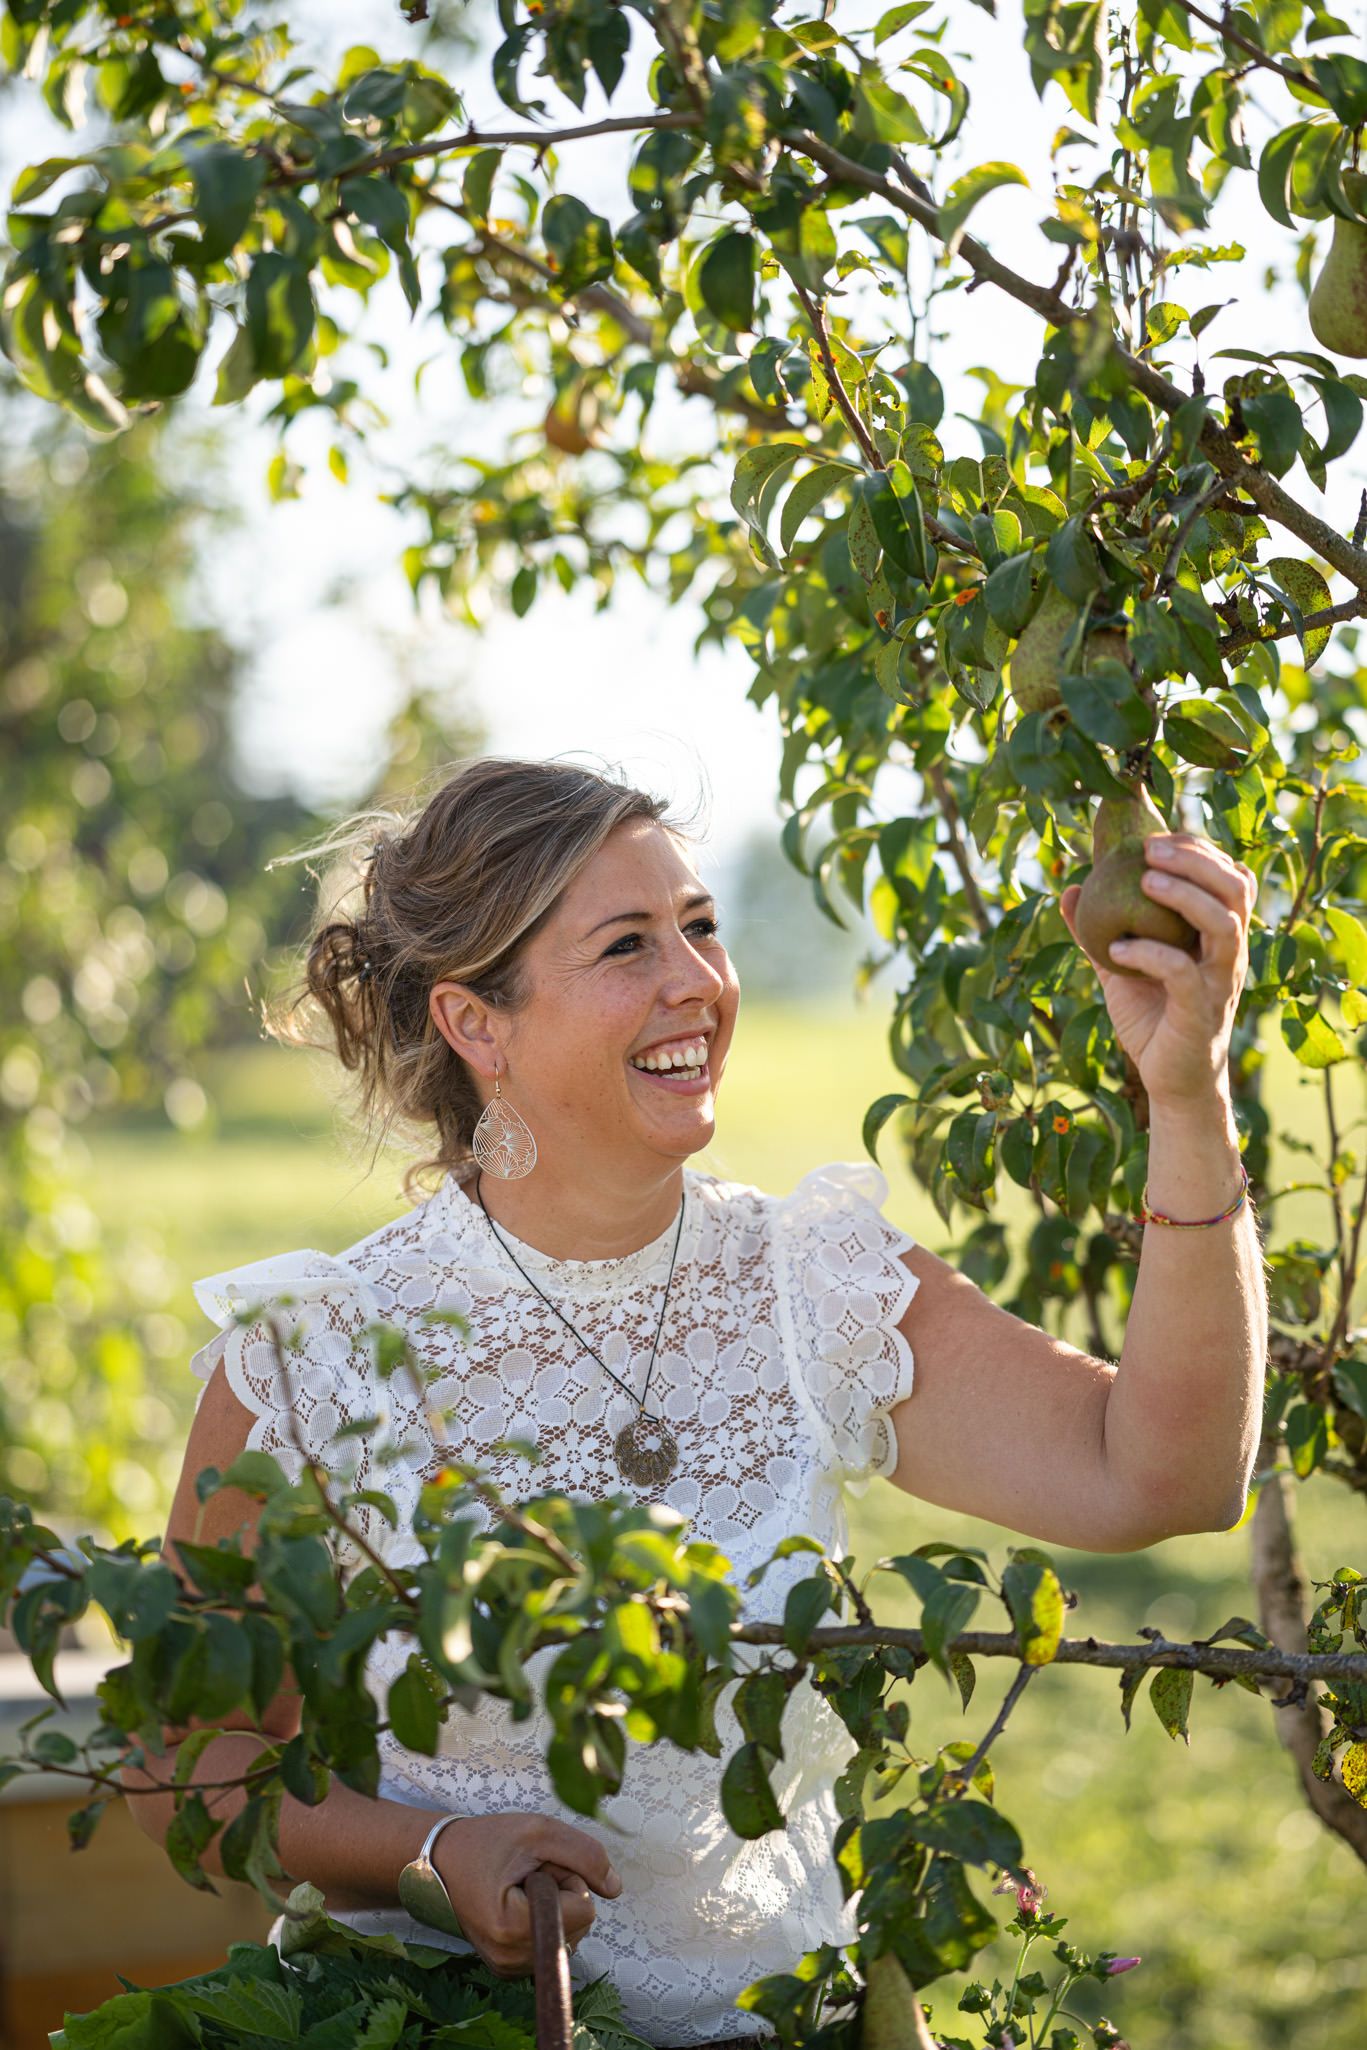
<point>327,1377</point>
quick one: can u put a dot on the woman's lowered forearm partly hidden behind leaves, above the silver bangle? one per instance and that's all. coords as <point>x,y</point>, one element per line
<point>349,1846</point>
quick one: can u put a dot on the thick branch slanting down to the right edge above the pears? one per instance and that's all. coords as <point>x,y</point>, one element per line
<point>1216,442</point>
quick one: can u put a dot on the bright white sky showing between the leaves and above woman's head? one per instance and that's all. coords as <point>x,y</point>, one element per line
<point>315,585</point>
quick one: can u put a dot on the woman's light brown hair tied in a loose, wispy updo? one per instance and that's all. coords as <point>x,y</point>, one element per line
<point>446,891</point>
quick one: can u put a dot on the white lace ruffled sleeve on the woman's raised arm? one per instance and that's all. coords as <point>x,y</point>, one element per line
<point>843,1290</point>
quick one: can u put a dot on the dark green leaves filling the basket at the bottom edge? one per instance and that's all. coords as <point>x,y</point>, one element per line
<point>331,1987</point>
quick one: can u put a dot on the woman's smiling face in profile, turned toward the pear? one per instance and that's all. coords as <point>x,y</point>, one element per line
<point>624,973</point>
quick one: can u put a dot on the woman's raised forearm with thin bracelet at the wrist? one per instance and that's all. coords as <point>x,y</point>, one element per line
<point>1184,1413</point>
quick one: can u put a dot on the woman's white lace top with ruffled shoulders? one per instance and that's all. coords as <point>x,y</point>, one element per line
<point>778,1366</point>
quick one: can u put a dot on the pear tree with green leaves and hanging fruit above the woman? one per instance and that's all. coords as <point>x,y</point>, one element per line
<point>1130,577</point>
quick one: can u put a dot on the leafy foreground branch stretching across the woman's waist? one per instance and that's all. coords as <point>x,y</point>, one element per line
<point>643,1625</point>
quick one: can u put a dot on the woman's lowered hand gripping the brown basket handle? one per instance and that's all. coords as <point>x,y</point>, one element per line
<point>485,1860</point>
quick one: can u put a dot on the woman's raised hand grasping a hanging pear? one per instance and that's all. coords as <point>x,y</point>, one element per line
<point>1177,1026</point>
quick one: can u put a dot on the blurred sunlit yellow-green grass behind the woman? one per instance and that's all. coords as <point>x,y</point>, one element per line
<point>1202,1858</point>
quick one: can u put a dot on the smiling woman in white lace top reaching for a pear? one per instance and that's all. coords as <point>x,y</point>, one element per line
<point>540,979</point>
